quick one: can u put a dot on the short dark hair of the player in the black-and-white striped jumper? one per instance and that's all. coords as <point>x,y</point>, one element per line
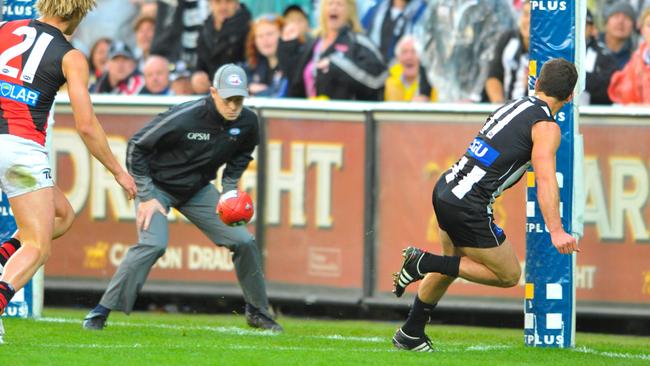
<point>557,78</point>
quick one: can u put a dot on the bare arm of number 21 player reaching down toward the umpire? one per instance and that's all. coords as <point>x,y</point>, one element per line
<point>75,69</point>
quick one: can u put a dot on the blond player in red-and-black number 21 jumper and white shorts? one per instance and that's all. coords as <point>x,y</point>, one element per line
<point>35,61</point>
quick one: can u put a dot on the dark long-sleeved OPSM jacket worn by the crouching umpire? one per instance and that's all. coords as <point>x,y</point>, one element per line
<point>181,149</point>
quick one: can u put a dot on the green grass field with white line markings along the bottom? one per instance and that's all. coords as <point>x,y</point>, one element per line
<point>152,339</point>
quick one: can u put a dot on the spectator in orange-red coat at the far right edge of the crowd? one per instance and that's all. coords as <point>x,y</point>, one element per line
<point>632,84</point>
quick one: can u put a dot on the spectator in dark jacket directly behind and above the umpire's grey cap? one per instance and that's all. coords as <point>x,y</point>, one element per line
<point>222,40</point>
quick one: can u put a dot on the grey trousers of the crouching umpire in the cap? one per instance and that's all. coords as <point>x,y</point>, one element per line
<point>200,210</point>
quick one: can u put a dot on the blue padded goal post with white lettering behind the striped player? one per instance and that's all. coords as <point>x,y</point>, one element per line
<point>556,30</point>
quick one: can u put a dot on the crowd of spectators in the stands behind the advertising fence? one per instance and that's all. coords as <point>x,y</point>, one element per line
<point>352,50</point>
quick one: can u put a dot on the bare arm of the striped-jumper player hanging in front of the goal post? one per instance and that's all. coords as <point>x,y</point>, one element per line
<point>546,140</point>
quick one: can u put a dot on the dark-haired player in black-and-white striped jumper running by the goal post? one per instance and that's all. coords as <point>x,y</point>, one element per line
<point>521,132</point>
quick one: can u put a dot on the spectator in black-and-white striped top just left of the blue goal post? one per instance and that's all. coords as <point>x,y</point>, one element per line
<point>508,73</point>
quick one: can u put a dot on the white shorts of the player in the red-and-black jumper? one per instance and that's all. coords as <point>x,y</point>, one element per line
<point>24,166</point>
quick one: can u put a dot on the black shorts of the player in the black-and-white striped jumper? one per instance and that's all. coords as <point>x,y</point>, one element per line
<point>470,226</point>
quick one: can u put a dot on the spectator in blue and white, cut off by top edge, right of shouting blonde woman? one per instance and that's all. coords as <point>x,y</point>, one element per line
<point>388,20</point>
